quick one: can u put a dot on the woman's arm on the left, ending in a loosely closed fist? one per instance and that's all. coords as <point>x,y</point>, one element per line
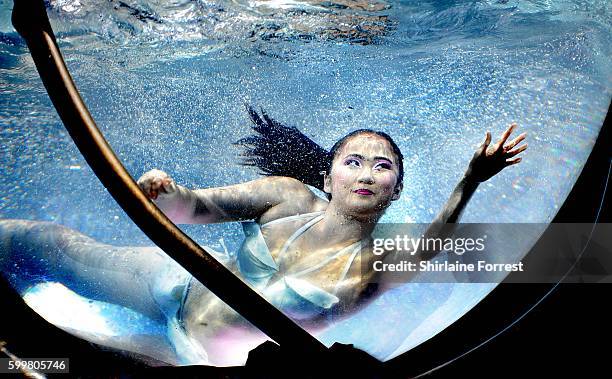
<point>271,196</point>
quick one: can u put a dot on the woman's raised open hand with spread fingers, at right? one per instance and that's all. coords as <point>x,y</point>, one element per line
<point>488,160</point>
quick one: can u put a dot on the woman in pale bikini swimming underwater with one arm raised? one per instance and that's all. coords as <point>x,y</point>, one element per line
<point>303,253</point>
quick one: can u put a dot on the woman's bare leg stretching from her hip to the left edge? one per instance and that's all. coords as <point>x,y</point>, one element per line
<point>141,278</point>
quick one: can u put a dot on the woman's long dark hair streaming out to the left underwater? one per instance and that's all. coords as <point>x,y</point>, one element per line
<point>279,150</point>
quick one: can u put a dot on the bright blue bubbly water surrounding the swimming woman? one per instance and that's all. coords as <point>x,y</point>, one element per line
<point>167,85</point>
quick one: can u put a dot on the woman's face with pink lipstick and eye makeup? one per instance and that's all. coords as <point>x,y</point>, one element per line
<point>363,178</point>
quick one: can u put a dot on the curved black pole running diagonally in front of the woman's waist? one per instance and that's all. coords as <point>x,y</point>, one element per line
<point>30,20</point>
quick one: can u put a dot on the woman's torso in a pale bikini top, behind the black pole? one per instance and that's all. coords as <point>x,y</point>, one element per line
<point>340,276</point>
